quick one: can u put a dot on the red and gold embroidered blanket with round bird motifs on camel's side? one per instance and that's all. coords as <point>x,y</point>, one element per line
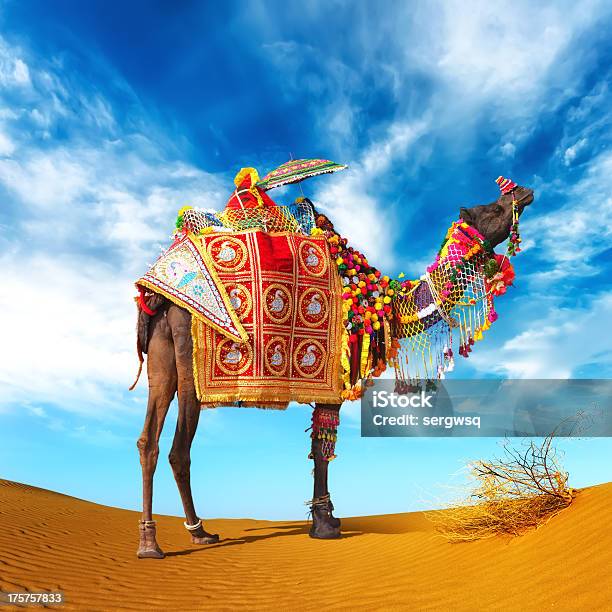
<point>267,315</point>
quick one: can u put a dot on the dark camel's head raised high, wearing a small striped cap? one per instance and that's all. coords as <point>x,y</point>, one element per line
<point>494,220</point>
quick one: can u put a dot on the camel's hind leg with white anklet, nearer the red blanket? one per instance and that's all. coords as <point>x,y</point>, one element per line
<point>188,417</point>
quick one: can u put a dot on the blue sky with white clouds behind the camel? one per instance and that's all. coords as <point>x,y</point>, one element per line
<point>114,115</point>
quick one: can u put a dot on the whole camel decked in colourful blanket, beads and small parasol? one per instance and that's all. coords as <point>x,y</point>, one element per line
<point>261,305</point>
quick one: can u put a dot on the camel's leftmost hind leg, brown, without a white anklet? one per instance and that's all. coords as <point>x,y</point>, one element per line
<point>161,370</point>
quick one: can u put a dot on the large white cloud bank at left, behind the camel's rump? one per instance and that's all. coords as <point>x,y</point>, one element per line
<point>93,213</point>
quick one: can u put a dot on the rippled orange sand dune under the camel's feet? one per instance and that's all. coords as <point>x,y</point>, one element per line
<point>52,542</point>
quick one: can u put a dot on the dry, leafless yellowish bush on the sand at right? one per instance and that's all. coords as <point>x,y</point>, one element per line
<point>520,491</point>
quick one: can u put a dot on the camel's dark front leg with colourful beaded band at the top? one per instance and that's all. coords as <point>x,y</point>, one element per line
<point>326,418</point>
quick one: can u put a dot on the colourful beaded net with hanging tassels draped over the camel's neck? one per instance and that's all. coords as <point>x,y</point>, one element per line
<point>456,293</point>
